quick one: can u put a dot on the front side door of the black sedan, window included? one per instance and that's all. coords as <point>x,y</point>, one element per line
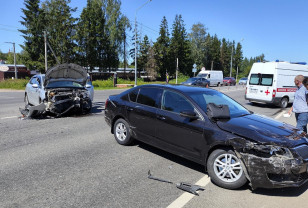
<point>180,134</point>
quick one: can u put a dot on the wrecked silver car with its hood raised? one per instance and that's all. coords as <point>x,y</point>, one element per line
<point>61,90</point>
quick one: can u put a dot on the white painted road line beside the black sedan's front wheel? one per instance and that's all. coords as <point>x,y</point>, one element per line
<point>186,197</point>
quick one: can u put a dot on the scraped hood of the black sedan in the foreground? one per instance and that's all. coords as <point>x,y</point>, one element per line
<point>264,130</point>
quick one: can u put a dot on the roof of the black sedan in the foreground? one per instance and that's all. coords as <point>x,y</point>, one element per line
<point>182,88</point>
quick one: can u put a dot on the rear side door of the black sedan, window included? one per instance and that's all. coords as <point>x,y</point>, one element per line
<point>141,112</point>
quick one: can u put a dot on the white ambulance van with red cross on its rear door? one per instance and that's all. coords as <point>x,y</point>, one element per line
<point>273,82</point>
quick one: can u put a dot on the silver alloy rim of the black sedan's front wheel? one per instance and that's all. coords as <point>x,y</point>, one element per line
<point>227,168</point>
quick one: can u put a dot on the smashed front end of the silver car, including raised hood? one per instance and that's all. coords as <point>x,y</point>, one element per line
<point>64,92</point>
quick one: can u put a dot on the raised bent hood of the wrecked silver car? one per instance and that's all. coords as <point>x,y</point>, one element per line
<point>67,71</point>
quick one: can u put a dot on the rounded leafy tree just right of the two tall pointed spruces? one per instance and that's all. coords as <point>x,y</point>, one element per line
<point>198,43</point>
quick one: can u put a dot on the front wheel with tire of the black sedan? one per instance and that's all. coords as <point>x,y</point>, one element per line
<point>225,169</point>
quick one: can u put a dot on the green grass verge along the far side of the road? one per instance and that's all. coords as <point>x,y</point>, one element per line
<point>20,84</point>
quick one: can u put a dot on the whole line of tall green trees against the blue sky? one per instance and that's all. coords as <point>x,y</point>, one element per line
<point>98,38</point>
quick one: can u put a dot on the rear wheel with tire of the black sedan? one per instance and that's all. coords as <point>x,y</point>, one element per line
<point>121,132</point>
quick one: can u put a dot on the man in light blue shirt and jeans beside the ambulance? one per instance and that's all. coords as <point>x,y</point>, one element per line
<point>300,107</point>
